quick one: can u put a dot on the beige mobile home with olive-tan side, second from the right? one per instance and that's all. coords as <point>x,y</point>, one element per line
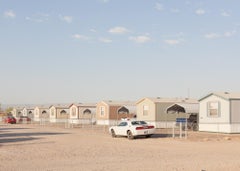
<point>154,110</point>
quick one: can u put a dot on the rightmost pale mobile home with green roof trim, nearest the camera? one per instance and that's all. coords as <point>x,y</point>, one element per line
<point>220,112</point>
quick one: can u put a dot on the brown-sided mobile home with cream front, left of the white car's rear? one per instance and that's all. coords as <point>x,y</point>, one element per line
<point>110,112</point>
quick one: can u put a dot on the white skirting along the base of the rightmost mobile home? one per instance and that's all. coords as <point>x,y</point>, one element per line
<point>220,127</point>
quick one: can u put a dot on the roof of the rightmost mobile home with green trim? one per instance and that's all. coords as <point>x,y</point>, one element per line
<point>223,95</point>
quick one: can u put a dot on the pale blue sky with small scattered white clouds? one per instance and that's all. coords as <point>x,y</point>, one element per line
<point>64,51</point>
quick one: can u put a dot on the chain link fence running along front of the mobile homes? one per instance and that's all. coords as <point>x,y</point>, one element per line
<point>163,128</point>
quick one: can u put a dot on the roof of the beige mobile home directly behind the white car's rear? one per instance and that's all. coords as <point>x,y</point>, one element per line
<point>169,100</point>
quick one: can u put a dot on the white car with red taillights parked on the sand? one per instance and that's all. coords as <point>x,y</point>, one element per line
<point>132,129</point>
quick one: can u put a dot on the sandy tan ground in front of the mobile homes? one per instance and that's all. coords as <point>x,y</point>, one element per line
<point>49,148</point>
